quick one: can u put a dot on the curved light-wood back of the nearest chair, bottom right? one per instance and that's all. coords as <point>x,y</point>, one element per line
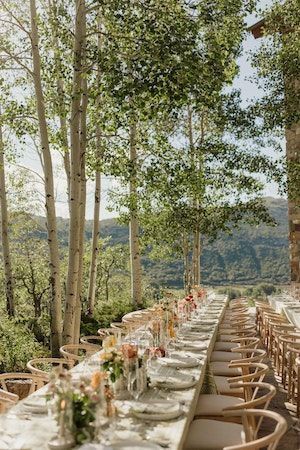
<point>270,441</point>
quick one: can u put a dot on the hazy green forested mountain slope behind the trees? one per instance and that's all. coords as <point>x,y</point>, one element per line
<point>251,254</point>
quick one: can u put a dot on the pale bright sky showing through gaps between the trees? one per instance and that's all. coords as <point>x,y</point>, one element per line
<point>248,91</point>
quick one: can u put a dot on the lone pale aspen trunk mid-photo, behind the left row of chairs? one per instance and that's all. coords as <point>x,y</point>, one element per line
<point>135,257</point>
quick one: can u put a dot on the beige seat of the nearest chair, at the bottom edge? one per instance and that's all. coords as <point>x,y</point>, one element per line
<point>205,434</point>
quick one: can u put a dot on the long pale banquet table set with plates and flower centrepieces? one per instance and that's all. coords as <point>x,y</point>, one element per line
<point>20,430</point>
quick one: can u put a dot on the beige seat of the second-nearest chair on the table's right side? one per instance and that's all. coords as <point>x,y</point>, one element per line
<point>213,404</point>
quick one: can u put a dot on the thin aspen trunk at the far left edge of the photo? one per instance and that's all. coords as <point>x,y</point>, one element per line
<point>9,281</point>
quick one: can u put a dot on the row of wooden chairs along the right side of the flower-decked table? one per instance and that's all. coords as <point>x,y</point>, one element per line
<point>231,418</point>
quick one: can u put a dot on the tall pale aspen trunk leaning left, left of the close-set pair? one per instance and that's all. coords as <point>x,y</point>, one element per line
<point>55,316</point>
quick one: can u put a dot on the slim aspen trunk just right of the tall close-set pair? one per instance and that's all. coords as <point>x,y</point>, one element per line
<point>97,199</point>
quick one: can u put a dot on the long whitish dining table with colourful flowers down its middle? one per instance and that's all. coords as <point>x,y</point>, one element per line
<point>20,429</point>
